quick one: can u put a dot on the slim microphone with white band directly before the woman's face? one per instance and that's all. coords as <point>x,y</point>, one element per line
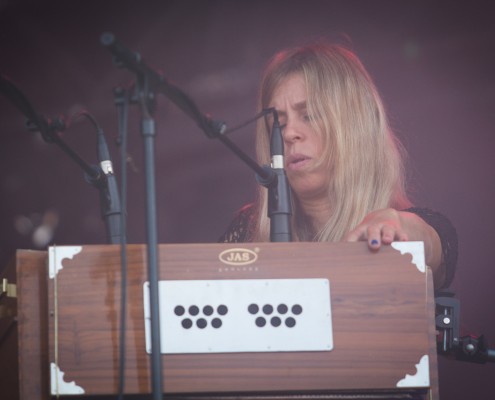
<point>279,201</point>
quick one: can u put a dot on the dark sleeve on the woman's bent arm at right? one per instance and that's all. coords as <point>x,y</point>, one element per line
<point>448,238</point>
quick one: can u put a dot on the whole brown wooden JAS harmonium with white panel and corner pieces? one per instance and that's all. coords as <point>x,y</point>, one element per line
<point>257,320</point>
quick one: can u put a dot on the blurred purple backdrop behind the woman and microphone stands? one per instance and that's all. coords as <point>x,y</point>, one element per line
<point>434,63</point>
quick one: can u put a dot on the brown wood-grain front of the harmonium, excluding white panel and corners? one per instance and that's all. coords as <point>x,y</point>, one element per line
<point>380,314</point>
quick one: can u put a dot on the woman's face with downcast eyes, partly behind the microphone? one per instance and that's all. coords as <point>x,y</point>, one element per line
<point>302,145</point>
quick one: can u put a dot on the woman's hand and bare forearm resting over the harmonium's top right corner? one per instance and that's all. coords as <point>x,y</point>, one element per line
<point>388,225</point>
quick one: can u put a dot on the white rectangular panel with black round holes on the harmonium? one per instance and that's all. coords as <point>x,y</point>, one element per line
<point>255,315</point>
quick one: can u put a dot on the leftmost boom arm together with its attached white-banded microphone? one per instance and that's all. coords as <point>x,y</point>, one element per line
<point>98,176</point>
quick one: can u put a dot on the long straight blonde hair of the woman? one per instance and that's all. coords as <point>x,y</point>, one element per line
<point>363,156</point>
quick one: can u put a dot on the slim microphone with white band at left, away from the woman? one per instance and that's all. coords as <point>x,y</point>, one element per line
<point>109,194</point>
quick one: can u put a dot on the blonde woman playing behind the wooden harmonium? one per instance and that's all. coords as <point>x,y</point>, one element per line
<point>343,163</point>
